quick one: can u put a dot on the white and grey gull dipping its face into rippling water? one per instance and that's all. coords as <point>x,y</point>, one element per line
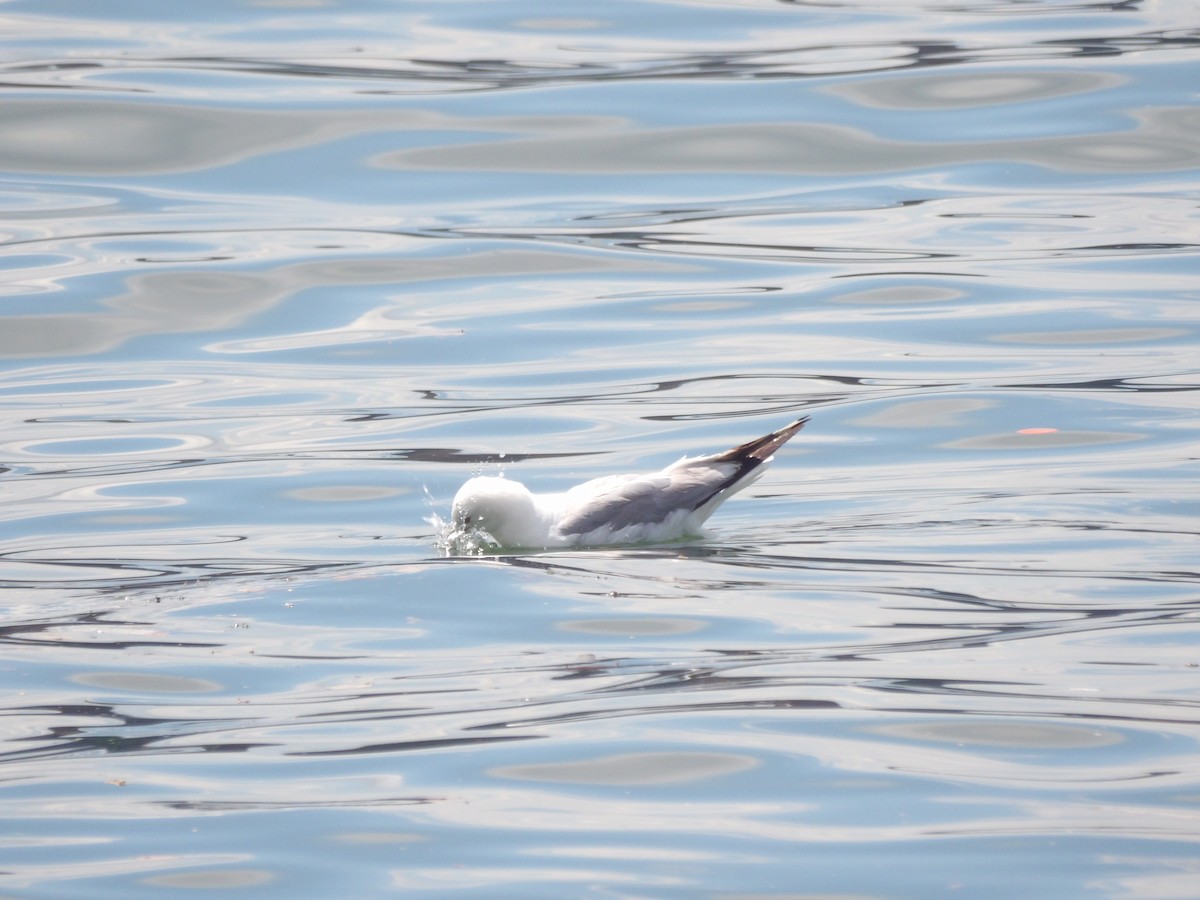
<point>615,509</point>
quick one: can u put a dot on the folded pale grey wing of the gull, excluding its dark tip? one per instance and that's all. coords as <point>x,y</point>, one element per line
<point>644,500</point>
